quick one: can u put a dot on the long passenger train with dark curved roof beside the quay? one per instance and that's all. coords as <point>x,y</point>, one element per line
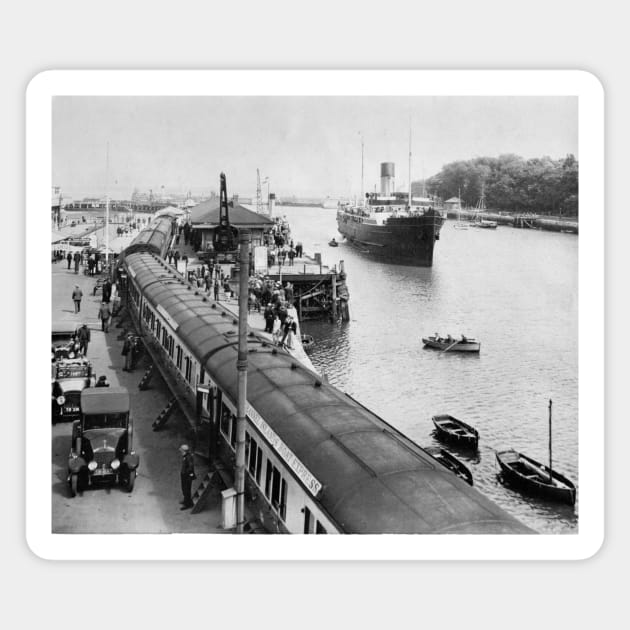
<point>317,461</point>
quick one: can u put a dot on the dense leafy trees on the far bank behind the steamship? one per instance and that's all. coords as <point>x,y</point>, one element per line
<point>509,182</point>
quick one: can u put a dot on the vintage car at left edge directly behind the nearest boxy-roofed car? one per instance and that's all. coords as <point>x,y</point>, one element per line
<point>69,378</point>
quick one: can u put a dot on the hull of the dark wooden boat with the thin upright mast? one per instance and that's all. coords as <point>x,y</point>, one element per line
<point>535,478</point>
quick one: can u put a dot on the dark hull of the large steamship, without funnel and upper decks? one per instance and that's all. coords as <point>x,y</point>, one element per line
<point>407,241</point>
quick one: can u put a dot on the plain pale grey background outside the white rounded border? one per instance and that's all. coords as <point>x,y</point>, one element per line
<point>459,35</point>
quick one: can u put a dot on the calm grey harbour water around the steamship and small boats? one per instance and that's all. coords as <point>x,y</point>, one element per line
<point>515,291</point>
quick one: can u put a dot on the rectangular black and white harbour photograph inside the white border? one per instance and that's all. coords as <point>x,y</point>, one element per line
<point>320,313</point>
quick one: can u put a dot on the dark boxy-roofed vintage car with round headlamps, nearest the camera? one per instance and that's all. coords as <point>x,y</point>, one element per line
<point>101,450</point>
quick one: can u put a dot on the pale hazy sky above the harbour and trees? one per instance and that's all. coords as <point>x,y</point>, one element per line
<point>305,145</point>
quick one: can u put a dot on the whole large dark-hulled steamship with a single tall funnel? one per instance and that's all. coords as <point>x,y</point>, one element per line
<point>392,225</point>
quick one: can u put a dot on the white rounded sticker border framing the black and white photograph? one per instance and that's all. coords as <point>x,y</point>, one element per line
<point>590,93</point>
